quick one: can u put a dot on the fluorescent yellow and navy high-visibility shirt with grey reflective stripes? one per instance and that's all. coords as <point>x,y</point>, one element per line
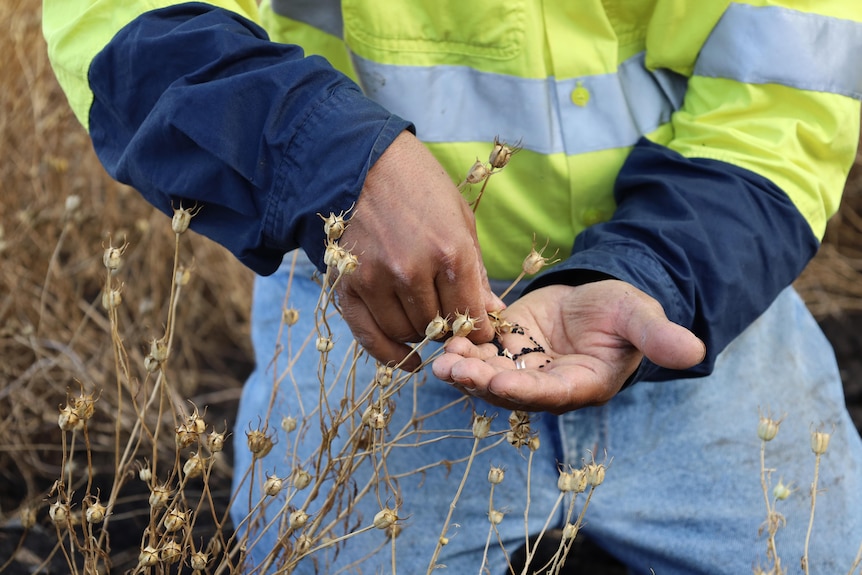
<point>693,149</point>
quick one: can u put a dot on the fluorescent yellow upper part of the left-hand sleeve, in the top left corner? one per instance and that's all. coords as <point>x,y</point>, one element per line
<point>77,30</point>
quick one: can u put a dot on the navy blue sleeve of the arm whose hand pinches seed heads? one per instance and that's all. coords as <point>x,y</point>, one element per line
<point>195,104</point>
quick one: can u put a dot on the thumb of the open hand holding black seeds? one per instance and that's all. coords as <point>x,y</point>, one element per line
<point>663,342</point>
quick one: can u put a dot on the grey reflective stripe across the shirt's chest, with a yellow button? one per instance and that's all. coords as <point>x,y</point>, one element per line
<point>460,104</point>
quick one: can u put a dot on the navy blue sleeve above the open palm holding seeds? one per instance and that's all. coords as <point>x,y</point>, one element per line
<point>714,243</point>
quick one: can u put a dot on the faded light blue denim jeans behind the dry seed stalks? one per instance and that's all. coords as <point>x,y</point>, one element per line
<point>682,493</point>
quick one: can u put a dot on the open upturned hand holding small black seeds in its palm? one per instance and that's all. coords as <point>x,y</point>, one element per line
<point>575,347</point>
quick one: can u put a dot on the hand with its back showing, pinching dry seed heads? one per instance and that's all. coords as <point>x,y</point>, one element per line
<point>415,238</point>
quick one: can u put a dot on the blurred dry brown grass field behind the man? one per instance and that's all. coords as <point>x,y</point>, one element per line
<point>58,210</point>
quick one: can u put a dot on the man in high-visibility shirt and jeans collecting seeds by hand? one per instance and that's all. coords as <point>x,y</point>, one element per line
<point>687,158</point>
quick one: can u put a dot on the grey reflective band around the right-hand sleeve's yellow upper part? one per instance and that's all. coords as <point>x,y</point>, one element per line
<point>773,45</point>
